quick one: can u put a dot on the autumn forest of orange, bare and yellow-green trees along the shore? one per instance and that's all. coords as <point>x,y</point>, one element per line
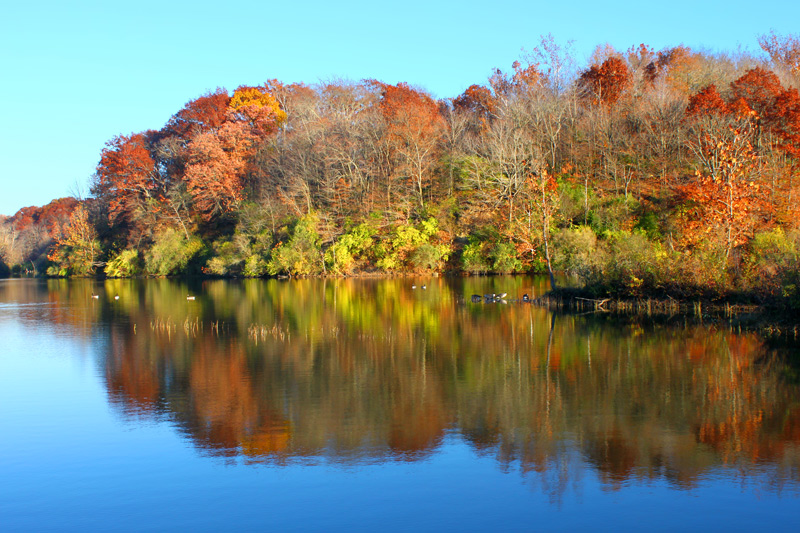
<point>645,173</point>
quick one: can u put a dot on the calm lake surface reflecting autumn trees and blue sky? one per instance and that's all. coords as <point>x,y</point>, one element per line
<point>358,405</point>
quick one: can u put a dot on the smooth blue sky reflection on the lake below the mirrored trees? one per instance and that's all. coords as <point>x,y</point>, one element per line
<point>69,462</point>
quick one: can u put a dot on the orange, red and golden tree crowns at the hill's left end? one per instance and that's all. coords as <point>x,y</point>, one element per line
<point>206,146</point>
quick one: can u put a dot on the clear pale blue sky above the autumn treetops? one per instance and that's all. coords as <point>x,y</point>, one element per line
<point>76,73</point>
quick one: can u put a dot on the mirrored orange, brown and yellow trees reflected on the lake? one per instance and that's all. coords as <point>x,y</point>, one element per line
<point>371,370</point>
